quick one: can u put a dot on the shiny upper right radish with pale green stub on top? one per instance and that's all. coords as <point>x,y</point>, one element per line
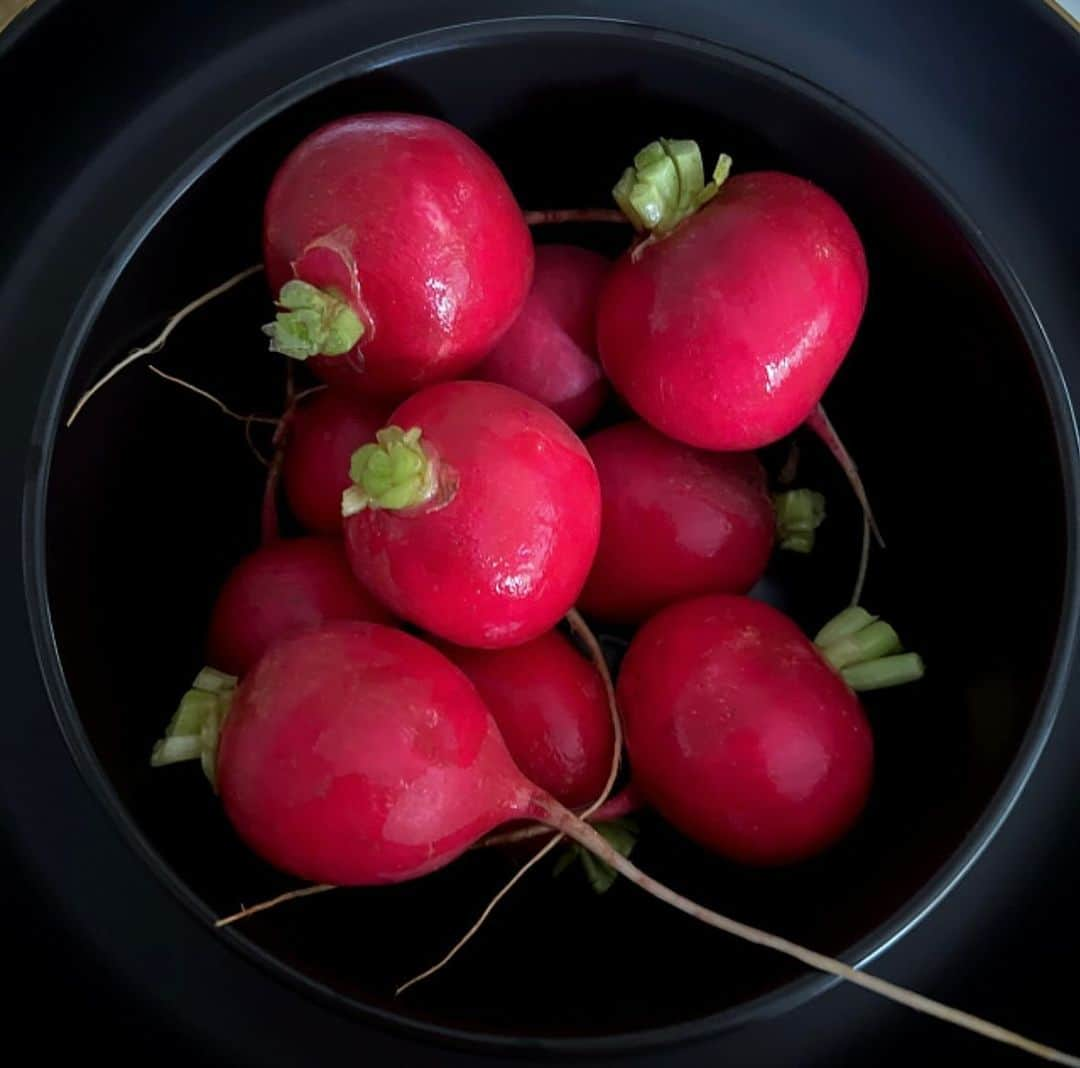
<point>726,331</point>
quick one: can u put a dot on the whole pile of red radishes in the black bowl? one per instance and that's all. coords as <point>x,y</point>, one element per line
<point>391,685</point>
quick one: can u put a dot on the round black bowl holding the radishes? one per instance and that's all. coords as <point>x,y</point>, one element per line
<point>951,400</point>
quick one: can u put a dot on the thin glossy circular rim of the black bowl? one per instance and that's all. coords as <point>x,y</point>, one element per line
<point>433,43</point>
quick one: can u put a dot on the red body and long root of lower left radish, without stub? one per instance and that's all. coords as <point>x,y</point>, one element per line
<point>359,755</point>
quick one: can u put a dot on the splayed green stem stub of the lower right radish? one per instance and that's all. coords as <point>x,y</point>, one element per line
<point>867,652</point>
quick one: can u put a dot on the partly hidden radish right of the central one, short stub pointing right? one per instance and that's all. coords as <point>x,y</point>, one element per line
<point>679,522</point>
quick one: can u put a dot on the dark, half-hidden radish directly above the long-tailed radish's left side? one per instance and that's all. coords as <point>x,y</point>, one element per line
<point>279,590</point>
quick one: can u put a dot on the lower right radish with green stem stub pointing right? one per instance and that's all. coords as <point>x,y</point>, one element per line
<point>745,735</point>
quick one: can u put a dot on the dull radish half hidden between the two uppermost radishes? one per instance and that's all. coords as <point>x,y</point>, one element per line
<point>550,353</point>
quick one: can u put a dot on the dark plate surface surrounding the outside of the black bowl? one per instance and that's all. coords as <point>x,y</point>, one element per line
<point>988,93</point>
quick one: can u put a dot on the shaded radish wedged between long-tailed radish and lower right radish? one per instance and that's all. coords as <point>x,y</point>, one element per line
<point>552,712</point>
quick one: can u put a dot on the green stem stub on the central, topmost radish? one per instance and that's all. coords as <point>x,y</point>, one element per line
<point>393,472</point>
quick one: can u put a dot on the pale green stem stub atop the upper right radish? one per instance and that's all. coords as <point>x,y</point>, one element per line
<point>667,184</point>
